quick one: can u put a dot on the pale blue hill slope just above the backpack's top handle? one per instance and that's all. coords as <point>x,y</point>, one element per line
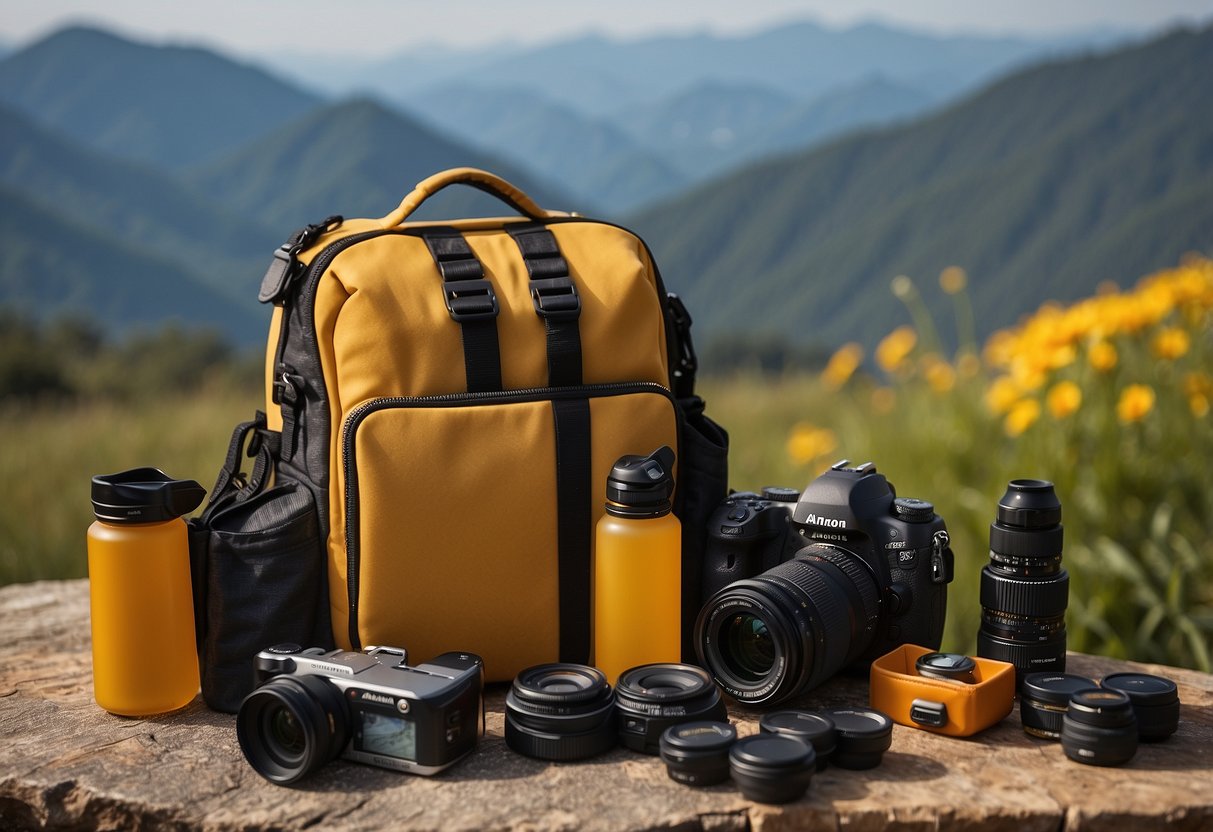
<point>591,158</point>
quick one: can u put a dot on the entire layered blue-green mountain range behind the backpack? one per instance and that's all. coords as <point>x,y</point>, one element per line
<point>1041,184</point>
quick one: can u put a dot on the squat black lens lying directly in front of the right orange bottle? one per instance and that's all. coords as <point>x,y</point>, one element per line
<point>652,698</point>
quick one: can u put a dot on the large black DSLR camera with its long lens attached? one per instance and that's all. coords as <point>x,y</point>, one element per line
<point>801,589</point>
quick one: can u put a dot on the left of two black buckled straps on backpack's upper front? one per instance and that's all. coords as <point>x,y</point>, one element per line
<point>471,301</point>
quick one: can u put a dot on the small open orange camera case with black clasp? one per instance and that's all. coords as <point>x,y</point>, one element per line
<point>895,686</point>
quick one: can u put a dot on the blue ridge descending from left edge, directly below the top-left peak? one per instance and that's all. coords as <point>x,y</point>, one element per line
<point>130,204</point>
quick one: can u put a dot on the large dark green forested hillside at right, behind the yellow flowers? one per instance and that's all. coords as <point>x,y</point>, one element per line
<point>1041,186</point>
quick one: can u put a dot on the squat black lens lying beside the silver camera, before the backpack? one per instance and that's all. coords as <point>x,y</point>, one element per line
<point>561,713</point>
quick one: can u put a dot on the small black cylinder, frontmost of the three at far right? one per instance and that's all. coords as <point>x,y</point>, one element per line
<point>1100,728</point>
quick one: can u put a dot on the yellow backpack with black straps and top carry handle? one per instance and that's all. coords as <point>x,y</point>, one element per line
<point>452,397</point>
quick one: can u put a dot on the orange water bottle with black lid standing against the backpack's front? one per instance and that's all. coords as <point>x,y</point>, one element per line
<point>639,567</point>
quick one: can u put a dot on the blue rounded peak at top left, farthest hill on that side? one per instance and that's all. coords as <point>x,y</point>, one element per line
<point>168,106</point>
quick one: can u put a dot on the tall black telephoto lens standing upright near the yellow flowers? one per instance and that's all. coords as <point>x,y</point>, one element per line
<point>1024,589</point>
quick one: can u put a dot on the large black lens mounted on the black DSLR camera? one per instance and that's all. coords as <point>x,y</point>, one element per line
<point>789,630</point>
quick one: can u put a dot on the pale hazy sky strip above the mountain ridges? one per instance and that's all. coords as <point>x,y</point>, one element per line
<point>379,27</point>
